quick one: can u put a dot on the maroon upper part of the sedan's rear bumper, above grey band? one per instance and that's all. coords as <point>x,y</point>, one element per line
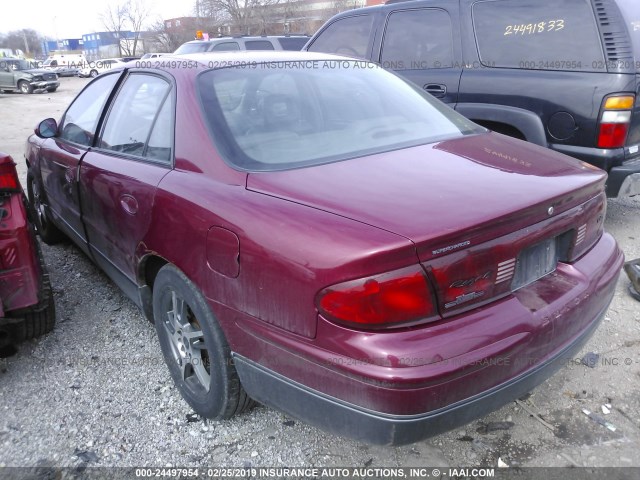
<point>422,369</point>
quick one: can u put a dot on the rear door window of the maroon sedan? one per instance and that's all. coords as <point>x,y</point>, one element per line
<point>133,114</point>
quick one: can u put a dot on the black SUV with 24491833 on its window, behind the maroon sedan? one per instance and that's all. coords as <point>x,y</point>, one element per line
<point>560,73</point>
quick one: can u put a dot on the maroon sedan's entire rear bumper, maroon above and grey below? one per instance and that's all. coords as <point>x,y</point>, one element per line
<point>495,354</point>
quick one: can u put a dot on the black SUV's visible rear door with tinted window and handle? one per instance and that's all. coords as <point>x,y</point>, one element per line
<point>423,46</point>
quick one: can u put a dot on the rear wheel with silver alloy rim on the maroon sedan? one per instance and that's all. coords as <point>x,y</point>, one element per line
<point>195,348</point>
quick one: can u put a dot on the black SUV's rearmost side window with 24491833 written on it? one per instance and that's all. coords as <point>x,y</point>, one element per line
<point>530,34</point>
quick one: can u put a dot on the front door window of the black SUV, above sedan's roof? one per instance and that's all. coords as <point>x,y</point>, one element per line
<point>346,36</point>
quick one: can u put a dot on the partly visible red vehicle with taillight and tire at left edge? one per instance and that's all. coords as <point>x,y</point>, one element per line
<point>27,307</point>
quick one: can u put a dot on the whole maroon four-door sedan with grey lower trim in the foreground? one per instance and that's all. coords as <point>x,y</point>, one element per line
<point>313,233</point>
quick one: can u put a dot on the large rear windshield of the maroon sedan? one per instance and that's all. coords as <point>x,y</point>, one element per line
<point>283,115</point>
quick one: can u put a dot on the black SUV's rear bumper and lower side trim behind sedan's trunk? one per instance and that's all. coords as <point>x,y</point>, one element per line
<point>624,176</point>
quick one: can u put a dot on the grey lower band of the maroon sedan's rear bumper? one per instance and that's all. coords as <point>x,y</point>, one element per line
<point>379,428</point>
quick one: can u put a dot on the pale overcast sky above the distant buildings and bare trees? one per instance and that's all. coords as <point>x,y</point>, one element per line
<point>72,18</point>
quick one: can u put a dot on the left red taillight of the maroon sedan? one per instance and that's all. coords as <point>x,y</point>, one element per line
<point>380,301</point>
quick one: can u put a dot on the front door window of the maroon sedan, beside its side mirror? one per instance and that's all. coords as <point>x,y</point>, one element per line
<point>81,119</point>
